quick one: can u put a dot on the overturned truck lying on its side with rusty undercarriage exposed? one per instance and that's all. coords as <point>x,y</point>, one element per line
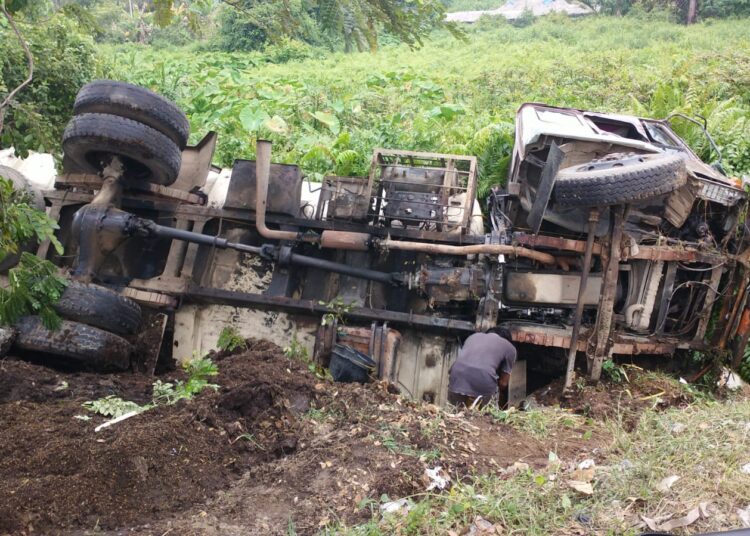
<point>610,238</point>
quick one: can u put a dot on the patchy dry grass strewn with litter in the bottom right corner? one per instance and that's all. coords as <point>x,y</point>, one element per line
<point>707,454</point>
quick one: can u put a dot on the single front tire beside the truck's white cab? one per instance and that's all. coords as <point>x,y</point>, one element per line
<point>619,178</point>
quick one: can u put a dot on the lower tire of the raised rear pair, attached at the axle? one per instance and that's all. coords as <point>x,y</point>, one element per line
<point>90,140</point>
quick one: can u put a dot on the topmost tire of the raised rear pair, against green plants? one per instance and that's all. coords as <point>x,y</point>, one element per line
<point>136,103</point>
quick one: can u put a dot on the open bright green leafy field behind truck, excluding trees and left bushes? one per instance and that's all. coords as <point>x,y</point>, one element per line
<point>327,112</point>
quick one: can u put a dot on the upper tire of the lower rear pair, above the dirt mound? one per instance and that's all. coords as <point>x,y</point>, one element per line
<point>99,307</point>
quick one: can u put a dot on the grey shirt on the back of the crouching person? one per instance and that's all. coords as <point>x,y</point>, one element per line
<point>482,356</point>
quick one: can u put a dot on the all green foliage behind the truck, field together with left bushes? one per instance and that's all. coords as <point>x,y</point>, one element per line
<point>327,110</point>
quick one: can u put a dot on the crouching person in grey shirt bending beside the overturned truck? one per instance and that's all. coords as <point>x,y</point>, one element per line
<point>483,367</point>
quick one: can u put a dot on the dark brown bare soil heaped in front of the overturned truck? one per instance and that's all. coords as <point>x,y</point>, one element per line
<point>274,447</point>
